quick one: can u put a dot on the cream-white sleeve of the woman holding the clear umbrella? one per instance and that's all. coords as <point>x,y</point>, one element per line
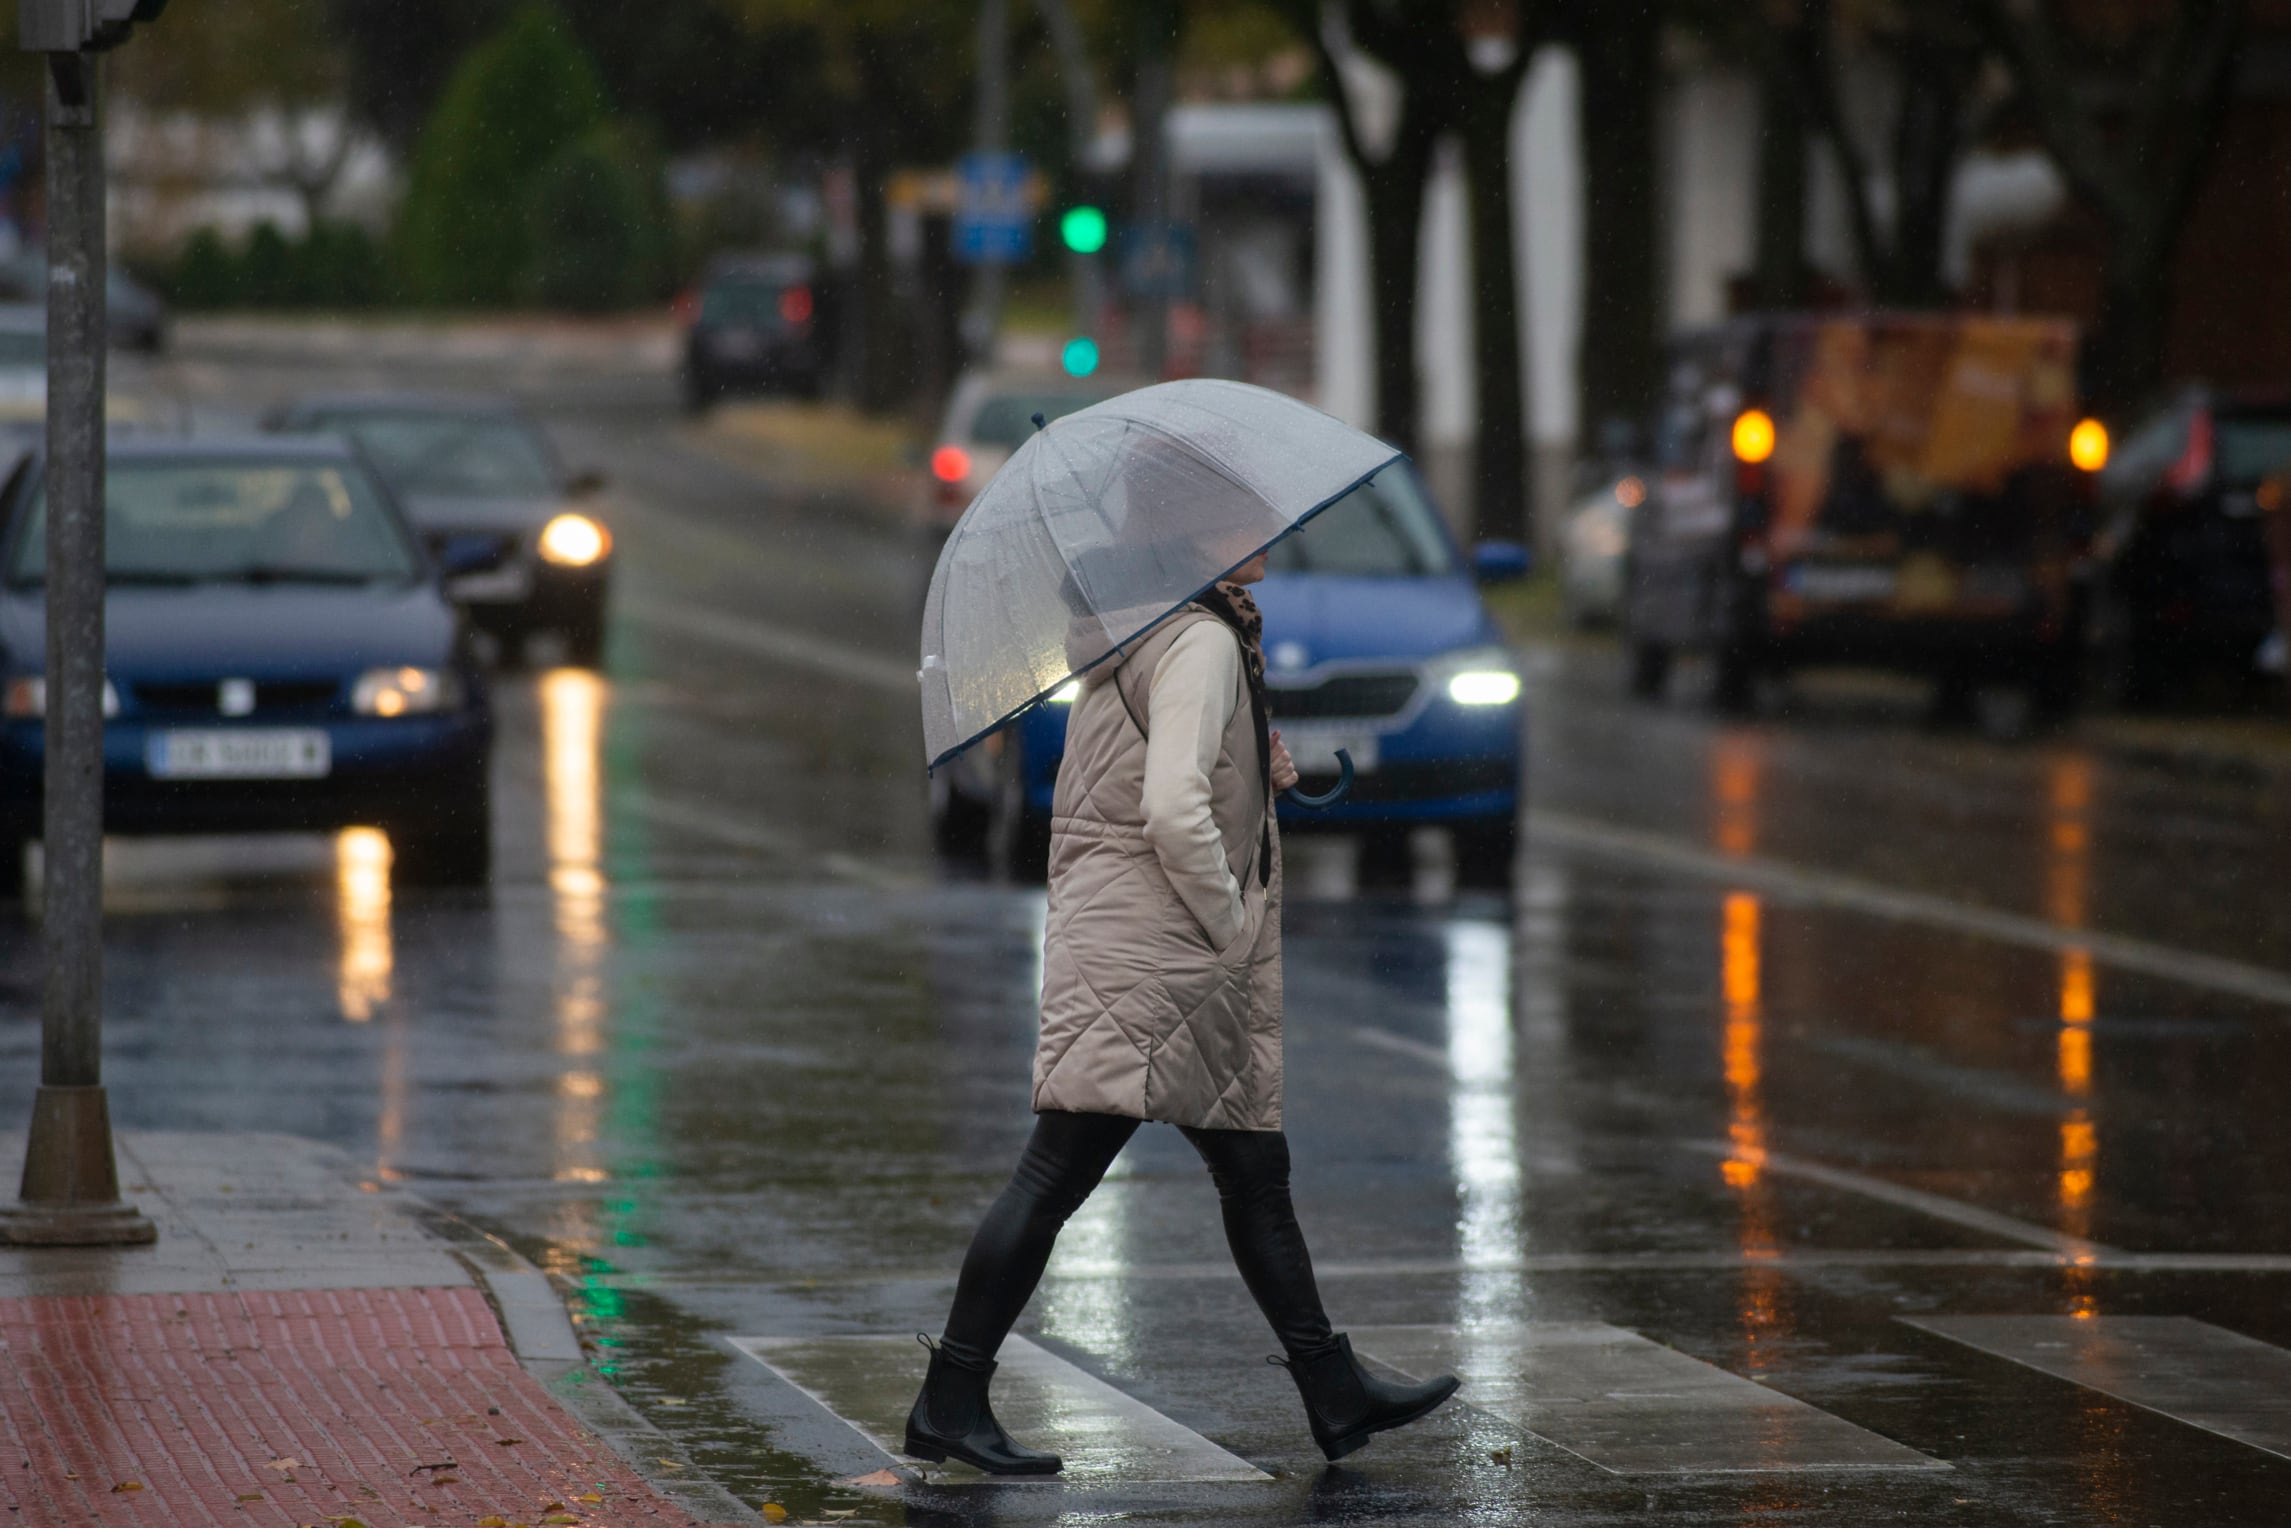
<point>1195,695</point>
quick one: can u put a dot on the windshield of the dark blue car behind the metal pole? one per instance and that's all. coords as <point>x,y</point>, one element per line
<point>235,521</point>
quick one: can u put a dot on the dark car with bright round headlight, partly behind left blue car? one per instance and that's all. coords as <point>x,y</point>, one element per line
<point>496,507</point>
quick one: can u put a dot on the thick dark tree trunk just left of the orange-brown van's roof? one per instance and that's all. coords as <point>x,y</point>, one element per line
<point>1623,306</point>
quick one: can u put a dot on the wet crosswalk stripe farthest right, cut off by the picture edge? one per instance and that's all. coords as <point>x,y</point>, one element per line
<point>2178,1366</point>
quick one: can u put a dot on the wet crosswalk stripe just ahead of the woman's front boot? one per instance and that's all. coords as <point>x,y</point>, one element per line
<point>1630,1405</point>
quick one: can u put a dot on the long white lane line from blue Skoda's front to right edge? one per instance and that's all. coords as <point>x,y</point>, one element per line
<point>1667,853</point>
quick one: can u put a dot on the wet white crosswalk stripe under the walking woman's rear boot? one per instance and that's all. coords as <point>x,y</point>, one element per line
<point>1103,1435</point>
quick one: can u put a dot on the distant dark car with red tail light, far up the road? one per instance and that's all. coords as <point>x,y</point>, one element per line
<point>757,324</point>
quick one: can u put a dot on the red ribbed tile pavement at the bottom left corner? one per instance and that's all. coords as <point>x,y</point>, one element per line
<point>196,1399</point>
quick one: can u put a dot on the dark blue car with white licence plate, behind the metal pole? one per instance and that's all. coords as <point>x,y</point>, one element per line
<point>281,659</point>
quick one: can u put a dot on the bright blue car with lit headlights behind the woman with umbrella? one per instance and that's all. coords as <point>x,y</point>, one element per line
<point>1376,643</point>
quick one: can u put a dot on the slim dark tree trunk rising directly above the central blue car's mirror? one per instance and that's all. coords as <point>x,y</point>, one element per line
<point>1502,448</point>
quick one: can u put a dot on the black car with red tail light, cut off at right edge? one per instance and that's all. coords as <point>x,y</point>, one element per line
<point>2184,549</point>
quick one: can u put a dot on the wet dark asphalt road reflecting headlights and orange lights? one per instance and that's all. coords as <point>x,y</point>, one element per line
<point>1797,1032</point>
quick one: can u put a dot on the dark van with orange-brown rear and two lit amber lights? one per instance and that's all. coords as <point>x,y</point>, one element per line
<point>1903,491</point>
